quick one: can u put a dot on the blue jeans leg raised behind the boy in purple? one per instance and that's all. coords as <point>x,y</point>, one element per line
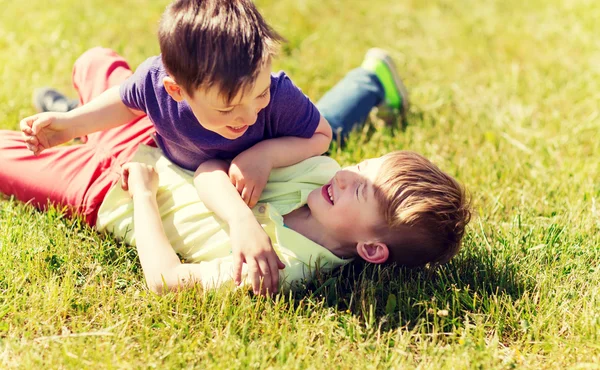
<point>348,103</point>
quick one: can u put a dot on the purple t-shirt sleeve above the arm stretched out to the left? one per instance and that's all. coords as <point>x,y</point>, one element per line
<point>134,90</point>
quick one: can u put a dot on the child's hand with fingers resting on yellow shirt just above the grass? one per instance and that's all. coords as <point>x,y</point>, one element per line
<point>250,244</point>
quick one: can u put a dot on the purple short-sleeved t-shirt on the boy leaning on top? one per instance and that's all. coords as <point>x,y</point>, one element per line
<point>183,139</point>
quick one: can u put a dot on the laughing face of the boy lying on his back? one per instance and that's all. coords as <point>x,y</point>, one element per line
<point>347,206</point>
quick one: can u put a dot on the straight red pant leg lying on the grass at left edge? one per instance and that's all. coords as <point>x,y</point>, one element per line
<point>76,177</point>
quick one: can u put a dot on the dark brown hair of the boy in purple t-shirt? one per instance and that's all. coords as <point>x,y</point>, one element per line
<point>222,42</point>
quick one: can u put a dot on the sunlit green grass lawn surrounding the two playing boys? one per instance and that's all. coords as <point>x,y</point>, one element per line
<point>506,97</point>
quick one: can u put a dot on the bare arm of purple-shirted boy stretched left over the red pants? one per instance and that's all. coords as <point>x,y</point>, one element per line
<point>48,129</point>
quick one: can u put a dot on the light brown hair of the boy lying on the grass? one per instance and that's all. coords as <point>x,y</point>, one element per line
<point>425,210</point>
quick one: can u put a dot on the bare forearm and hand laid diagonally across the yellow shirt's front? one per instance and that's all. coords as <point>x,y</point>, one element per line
<point>249,242</point>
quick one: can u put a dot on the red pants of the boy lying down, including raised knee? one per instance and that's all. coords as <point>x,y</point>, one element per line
<point>76,176</point>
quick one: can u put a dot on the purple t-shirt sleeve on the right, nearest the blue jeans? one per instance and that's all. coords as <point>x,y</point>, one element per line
<point>292,113</point>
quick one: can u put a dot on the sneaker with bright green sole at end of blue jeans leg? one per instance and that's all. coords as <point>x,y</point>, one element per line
<point>379,62</point>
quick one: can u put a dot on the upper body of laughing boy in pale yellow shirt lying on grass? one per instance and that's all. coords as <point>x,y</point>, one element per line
<point>399,208</point>
